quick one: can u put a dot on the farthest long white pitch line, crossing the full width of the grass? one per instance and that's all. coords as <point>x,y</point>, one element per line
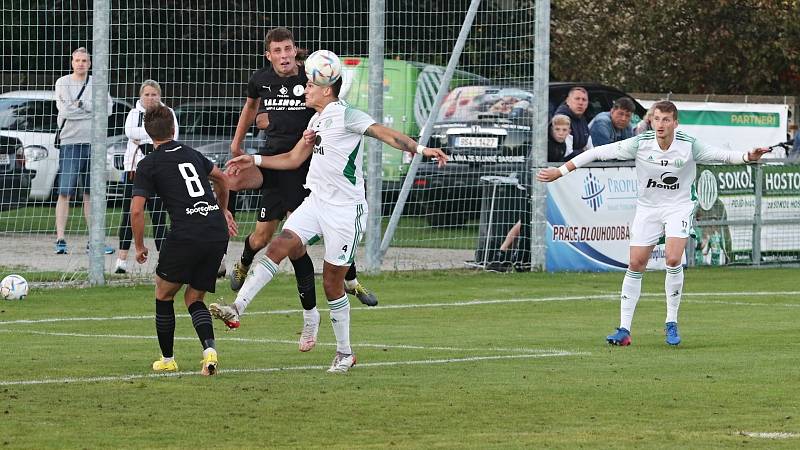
<point>464,303</point>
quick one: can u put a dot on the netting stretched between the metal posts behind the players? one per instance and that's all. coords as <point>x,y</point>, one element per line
<point>202,57</point>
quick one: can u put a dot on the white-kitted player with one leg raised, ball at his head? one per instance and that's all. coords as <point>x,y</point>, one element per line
<point>336,209</point>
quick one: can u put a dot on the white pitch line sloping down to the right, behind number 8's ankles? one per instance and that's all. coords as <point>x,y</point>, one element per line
<point>225,338</point>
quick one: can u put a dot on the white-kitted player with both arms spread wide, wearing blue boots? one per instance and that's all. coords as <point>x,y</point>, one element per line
<point>665,166</point>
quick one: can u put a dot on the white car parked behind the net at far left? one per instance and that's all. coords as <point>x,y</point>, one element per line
<point>31,117</point>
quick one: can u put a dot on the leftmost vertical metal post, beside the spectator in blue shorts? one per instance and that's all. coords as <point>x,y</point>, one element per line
<point>97,225</point>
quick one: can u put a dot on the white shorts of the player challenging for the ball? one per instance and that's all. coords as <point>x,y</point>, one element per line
<point>341,226</point>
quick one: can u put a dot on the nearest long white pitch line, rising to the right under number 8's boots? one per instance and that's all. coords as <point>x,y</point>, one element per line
<point>223,372</point>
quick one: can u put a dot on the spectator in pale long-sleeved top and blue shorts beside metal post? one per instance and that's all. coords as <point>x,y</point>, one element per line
<point>74,102</point>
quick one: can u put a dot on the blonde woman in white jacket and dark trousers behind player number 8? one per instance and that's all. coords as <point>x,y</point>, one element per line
<point>139,146</point>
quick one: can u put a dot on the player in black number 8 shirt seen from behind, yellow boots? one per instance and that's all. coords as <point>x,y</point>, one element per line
<point>197,239</point>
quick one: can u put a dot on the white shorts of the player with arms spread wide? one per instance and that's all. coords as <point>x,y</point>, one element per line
<point>651,224</point>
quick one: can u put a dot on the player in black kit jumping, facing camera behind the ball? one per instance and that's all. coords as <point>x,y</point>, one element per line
<point>276,94</point>
